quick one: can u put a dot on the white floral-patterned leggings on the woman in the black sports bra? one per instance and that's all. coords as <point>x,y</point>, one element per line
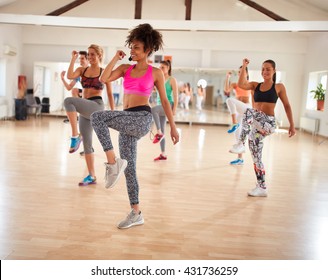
<point>257,125</point>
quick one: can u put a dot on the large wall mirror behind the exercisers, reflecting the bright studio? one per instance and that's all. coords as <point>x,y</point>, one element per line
<point>201,91</point>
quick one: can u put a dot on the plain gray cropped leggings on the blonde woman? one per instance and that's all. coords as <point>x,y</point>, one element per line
<point>85,107</point>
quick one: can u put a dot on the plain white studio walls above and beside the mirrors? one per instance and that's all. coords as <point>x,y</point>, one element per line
<point>296,54</point>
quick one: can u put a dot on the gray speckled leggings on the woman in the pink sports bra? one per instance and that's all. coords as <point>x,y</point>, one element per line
<point>132,125</point>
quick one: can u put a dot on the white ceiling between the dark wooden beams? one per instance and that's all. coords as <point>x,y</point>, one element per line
<point>294,10</point>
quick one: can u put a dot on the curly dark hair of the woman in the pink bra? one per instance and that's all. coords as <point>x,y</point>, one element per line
<point>151,38</point>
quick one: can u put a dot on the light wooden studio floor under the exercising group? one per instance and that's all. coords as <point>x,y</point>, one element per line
<point>194,204</point>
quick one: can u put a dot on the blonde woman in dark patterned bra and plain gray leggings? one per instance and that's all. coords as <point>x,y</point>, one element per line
<point>90,102</point>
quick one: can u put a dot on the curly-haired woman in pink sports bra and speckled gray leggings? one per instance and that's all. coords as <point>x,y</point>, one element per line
<point>135,120</point>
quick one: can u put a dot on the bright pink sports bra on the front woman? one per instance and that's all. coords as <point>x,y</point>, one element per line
<point>142,86</point>
